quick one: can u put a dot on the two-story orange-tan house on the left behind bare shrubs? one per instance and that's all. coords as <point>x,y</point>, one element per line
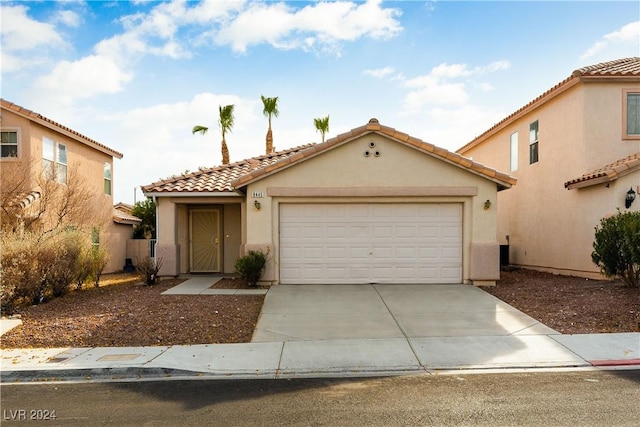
<point>35,152</point>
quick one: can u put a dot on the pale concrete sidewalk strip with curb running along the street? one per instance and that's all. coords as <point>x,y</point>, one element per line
<point>323,358</point>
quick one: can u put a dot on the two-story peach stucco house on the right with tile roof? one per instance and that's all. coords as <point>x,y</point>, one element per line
<point>575,151</point>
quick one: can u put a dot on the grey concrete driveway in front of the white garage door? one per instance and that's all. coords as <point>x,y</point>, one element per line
<point>326,312</point>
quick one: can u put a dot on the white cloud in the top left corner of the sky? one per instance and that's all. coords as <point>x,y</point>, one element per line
<point>21,33</point>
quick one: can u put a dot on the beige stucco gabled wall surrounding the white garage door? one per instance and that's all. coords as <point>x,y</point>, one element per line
<point>400,174</point>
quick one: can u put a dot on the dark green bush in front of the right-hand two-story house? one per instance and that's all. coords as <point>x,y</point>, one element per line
<point>617,247</point>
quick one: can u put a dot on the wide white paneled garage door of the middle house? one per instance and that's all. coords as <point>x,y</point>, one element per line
<point>370,243</point>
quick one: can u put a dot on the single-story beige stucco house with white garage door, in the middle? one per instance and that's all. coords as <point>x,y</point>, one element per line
<point>373,205</point>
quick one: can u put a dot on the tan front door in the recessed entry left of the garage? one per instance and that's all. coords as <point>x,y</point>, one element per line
<point>205,241</point>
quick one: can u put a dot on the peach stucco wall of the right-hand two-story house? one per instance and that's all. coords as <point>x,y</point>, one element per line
<point>549,227</point>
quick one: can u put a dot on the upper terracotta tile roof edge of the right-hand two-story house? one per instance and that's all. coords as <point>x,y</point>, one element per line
<point>620,68</point>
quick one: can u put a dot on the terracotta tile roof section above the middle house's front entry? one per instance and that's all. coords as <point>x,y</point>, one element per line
<point>218,179</point>
